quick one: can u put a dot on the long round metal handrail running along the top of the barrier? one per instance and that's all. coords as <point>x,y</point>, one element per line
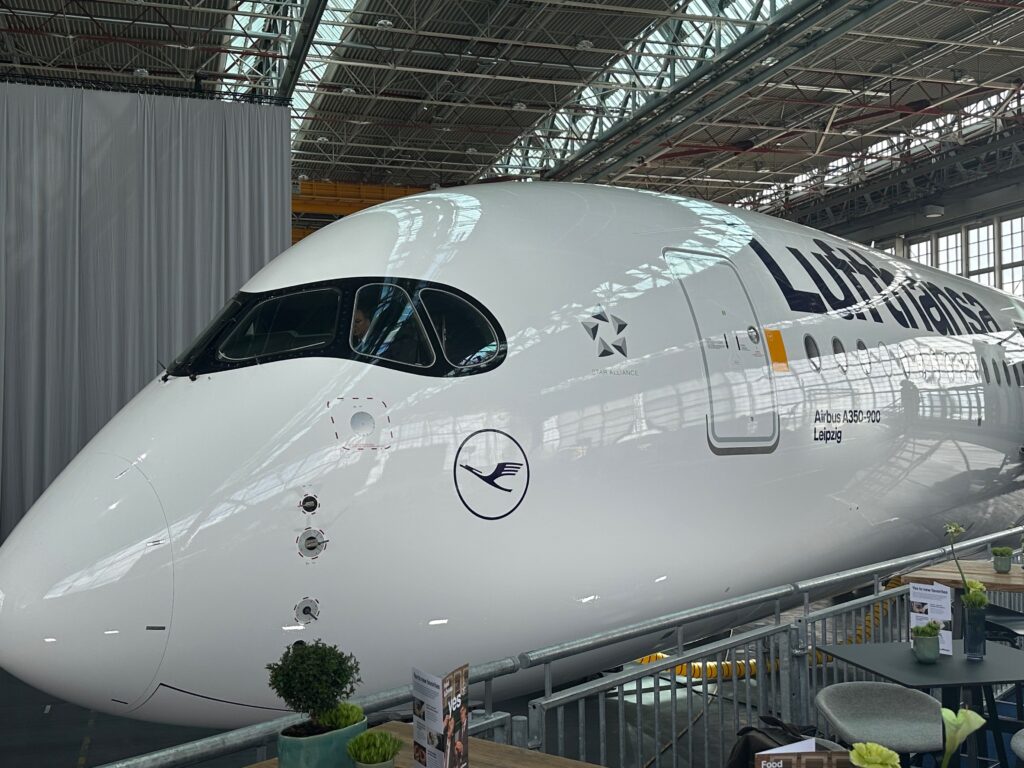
<point>262,734</point>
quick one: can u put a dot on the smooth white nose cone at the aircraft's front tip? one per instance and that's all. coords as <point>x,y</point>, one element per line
<point>87,587</point>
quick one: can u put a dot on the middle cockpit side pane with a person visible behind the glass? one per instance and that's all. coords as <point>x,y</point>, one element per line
<point>387,326</point>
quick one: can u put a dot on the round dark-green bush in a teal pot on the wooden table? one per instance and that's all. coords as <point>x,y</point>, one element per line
<point>314,678</point>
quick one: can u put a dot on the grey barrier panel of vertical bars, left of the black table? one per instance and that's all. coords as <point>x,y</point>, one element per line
<point>672,710</point>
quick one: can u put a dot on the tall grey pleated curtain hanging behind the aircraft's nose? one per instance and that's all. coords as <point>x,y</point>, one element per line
<point>126,221</point>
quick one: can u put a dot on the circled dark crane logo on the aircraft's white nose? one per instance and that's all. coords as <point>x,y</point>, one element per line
<point>492,475</point>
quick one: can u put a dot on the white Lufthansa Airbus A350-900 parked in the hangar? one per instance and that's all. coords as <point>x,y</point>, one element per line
<point>482,420</point>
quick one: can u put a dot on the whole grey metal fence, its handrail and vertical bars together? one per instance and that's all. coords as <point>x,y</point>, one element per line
<point>684,705</point>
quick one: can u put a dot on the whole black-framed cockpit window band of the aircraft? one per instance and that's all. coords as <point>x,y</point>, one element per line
<point>413,326</point>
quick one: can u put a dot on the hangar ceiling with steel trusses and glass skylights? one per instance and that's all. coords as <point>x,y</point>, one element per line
<point>823,111</point>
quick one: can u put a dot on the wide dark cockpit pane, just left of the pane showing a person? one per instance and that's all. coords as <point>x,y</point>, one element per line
<point>301,321</point>
